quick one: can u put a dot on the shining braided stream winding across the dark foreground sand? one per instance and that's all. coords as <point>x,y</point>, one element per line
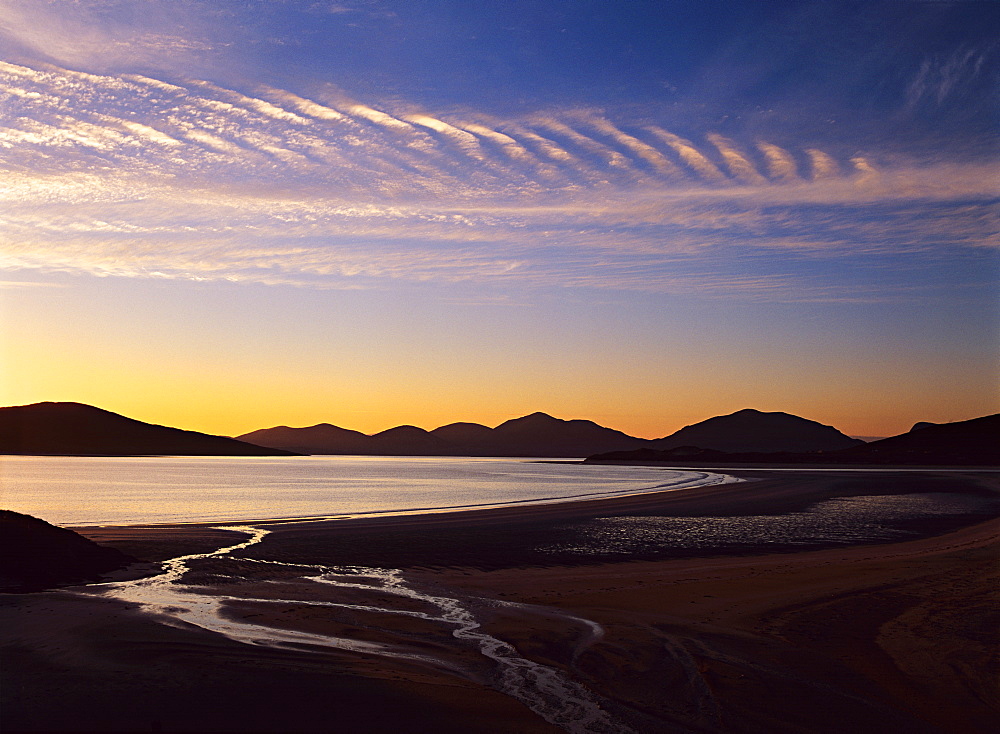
<point>543,689</point>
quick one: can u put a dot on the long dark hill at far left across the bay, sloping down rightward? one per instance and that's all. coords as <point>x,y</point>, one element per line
<point>77,429</point>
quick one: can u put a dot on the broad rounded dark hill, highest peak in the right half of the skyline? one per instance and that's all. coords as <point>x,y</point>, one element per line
<point>752,431</point>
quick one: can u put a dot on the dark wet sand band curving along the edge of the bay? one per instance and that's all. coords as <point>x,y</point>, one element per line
<point>497,537</point>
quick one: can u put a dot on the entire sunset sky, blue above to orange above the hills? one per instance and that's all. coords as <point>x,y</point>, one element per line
<point>225,216</point>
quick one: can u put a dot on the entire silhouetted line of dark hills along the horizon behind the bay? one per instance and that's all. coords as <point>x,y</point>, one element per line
<point>747,435</point>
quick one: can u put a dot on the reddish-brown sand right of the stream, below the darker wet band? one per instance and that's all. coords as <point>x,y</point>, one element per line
<point>893,637</point>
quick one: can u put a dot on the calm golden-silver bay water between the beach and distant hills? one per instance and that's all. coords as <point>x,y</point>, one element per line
<point>131,490</point>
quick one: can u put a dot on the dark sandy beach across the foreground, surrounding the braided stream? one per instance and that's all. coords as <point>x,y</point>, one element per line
<point>892,637</point>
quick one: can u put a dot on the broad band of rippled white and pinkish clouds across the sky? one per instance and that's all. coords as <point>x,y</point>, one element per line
<point>133,176</point>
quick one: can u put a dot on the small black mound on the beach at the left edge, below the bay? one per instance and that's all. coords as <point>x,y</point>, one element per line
<point>35,555</point>
